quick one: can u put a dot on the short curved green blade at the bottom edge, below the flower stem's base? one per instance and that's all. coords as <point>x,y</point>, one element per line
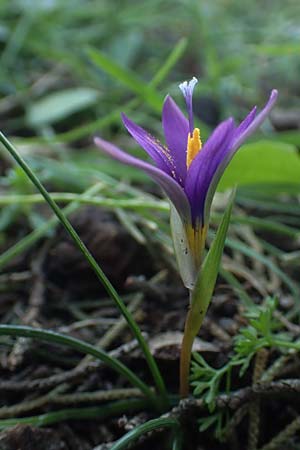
<point>162,422</point>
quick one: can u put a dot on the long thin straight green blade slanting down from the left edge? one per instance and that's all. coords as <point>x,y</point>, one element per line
<point>96,268</point>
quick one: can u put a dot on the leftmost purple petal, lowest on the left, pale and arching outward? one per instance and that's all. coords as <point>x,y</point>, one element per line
<point>172,189</point>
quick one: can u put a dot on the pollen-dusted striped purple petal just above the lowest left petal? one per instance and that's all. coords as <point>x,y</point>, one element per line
<point>151,145</point>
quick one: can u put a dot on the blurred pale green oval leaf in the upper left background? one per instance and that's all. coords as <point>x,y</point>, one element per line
<point>59,105</point>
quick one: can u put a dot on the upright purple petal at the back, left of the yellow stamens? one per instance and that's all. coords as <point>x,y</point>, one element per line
<point>176,129</point>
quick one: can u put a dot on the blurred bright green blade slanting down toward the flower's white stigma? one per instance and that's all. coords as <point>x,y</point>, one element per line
<point>127,77</point>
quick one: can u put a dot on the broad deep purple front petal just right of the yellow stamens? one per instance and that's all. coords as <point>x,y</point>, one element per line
<point>204,166</point>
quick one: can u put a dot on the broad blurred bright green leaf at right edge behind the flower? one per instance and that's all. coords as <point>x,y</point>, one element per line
<point>263,162</point>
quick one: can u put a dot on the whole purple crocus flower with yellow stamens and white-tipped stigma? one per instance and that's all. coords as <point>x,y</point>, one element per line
<point>187,170</point>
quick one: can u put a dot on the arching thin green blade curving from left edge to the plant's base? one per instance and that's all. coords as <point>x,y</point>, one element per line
<point>80,346</point>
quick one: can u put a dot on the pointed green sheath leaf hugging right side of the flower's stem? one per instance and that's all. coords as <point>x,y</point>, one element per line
<point>207,276</point>
